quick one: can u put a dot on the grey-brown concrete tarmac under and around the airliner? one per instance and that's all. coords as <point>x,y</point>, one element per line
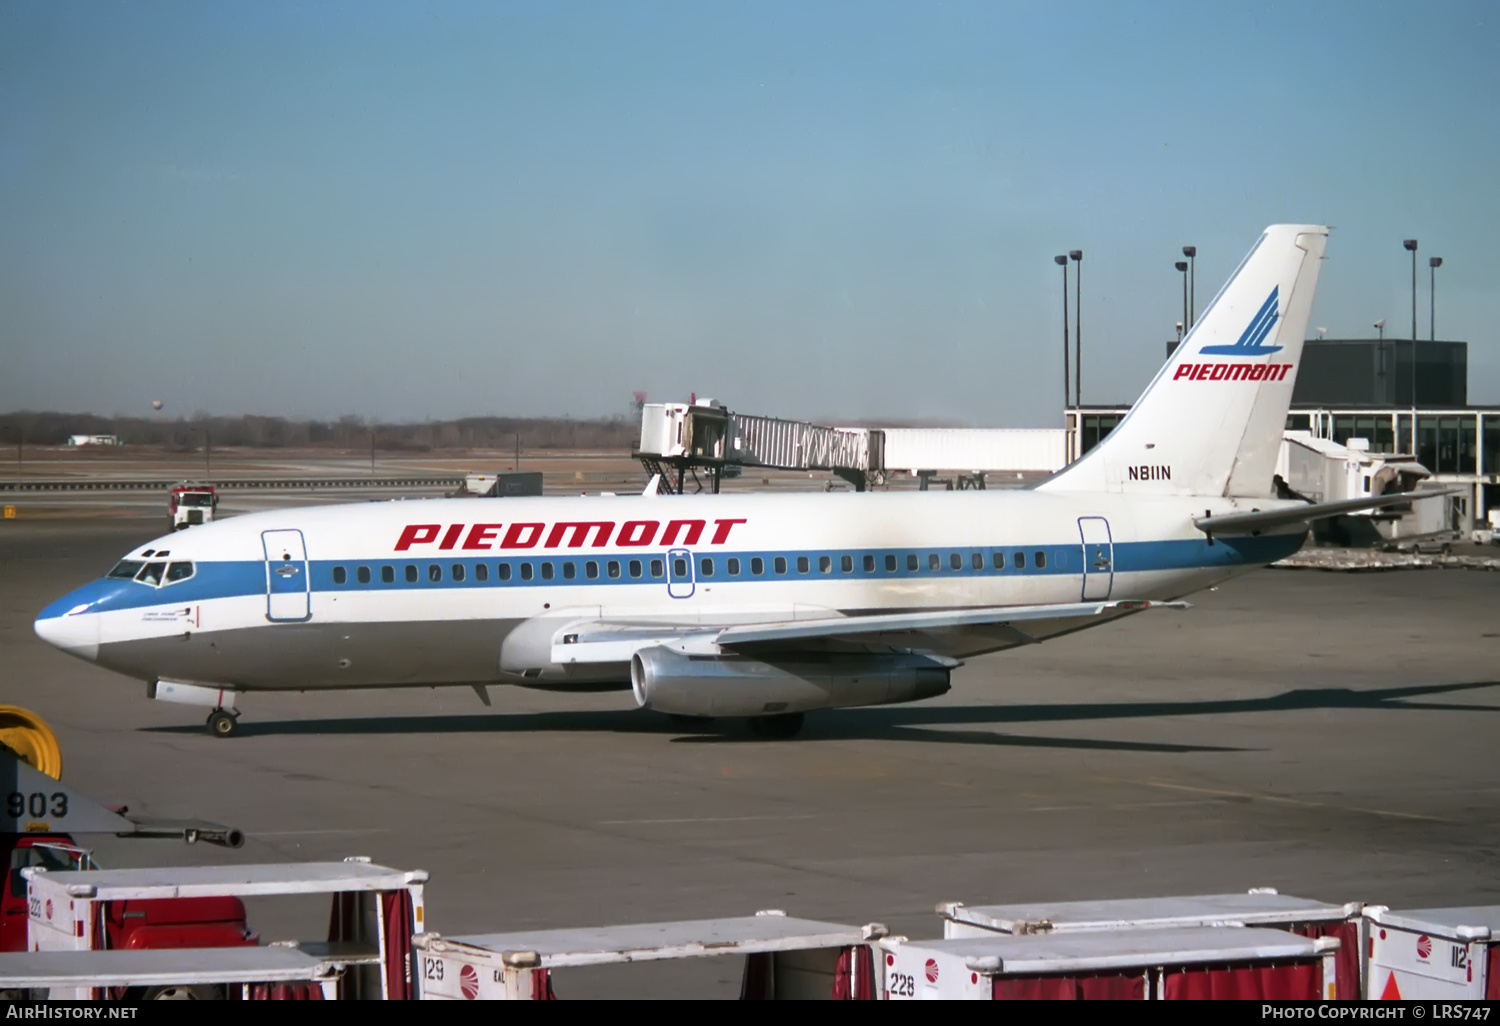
<point>1331,736</point>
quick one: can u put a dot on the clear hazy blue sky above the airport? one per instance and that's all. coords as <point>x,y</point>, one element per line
<point>836,211</point>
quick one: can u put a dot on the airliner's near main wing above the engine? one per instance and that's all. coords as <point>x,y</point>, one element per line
<point>949,632</point>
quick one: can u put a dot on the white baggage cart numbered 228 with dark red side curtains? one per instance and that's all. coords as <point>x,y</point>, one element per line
<point>1171,964</point>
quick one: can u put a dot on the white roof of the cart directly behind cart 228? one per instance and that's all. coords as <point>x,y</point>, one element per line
<point>1123,914</point>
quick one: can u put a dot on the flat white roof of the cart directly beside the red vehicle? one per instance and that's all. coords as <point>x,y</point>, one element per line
<point>206,881</point>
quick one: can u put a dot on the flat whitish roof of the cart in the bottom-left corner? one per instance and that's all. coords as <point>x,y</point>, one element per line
<point>152,968</point>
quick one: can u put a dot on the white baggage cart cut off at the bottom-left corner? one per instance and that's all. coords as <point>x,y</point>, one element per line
<point>272,973</point>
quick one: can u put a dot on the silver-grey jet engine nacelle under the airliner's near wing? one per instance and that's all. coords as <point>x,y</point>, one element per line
<point>680,685</point>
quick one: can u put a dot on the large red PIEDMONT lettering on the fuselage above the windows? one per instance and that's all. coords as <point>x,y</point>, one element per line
<point>571,535</point>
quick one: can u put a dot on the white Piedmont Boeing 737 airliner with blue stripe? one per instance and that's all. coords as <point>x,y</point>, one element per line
<point>760,607</point>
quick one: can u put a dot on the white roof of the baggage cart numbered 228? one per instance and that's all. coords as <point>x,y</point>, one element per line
<point>1006,953</point>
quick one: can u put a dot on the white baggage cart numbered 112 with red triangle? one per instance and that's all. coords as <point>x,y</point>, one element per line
<point>1445,955</point>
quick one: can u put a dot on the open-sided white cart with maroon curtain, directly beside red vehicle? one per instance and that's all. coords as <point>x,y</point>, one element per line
<point>376,911</point>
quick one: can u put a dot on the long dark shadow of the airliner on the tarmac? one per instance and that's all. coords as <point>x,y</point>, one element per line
<point>935,724</point>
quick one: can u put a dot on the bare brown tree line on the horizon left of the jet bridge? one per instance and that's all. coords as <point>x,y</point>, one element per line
<point>346,433</point>
